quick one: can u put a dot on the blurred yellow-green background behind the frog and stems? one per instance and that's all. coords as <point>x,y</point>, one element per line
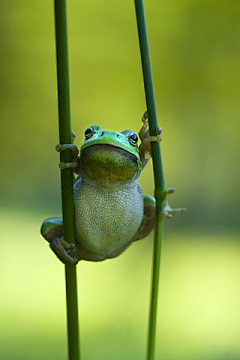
<point>195,57</point>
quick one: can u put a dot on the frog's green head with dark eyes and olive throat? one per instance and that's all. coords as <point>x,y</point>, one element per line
<point>109,157</point>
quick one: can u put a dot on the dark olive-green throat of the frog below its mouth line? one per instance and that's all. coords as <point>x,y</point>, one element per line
<point>104,162</point>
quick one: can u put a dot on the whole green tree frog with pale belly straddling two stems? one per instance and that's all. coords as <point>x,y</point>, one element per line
<point>110,209</point>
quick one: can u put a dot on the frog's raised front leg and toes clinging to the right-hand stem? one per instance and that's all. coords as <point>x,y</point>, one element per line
<point>145,147</point>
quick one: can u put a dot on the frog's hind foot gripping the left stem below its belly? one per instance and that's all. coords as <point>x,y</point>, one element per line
<point>64,250</point>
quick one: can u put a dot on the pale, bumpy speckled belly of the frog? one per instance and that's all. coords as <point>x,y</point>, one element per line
<point>116,216</point>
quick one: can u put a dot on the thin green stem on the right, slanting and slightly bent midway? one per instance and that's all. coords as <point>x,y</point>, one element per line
<point>160,191</point>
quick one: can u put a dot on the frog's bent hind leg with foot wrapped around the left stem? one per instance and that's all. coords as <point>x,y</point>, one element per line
<point>52,231</point>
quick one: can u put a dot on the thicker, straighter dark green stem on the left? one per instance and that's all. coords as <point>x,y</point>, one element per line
<point>66,174</point>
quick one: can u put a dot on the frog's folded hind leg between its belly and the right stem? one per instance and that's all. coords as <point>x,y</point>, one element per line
<point>148,220</point>
